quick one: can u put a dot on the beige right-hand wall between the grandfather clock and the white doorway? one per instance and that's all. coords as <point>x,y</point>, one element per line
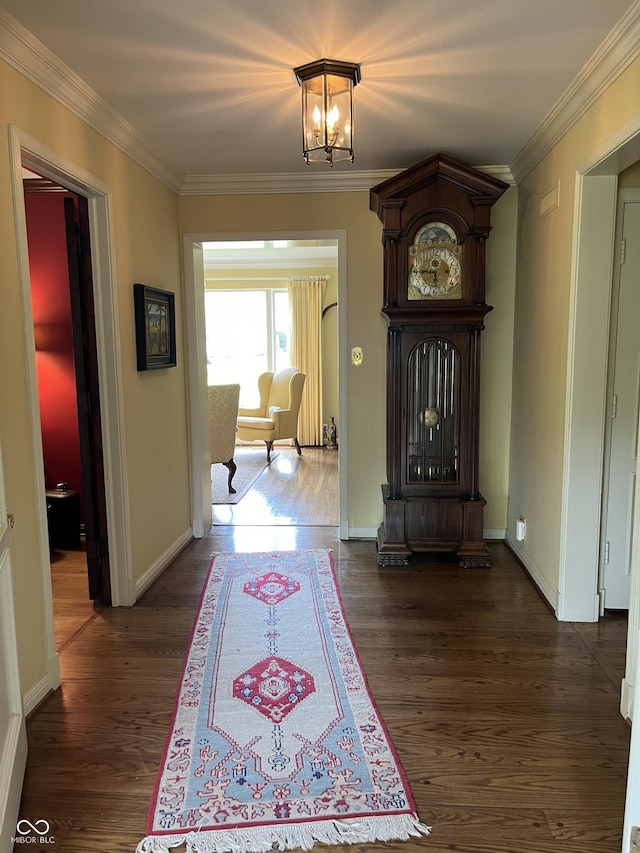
<point>542,324</point>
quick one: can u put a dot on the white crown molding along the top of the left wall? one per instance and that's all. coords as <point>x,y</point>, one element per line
<point>24,52</point>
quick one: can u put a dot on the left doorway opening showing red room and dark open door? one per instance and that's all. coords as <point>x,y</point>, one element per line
<point>66,363</point>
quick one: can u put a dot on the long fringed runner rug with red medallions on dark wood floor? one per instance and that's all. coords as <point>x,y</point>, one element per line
<point>275,742</point>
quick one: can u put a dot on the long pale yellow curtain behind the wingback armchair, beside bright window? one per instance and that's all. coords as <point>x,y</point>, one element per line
<point>305,298</point>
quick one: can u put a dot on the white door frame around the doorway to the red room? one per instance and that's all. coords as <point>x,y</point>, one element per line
<point>27,151</point>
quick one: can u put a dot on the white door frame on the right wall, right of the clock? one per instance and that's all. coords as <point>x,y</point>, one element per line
<point>593,256</point>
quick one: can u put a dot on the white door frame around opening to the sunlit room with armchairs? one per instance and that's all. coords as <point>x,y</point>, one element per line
<point>196,354</point>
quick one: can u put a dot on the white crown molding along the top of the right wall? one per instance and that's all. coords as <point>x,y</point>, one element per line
<point>614,55</point>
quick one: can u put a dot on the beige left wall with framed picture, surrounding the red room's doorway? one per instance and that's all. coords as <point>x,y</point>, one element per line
<point>145,241</point>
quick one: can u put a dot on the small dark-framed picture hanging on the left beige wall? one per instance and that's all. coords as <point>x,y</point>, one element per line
<point>155,327</point>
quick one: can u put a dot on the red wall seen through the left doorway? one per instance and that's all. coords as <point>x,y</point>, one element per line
<point>54,340</point>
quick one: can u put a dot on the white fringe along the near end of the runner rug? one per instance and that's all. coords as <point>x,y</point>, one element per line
<point>295,836</point>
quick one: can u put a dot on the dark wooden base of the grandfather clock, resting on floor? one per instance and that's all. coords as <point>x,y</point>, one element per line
<point>432,525</point>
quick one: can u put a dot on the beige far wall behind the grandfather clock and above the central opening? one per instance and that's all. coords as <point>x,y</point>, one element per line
<point>365,437</point>
